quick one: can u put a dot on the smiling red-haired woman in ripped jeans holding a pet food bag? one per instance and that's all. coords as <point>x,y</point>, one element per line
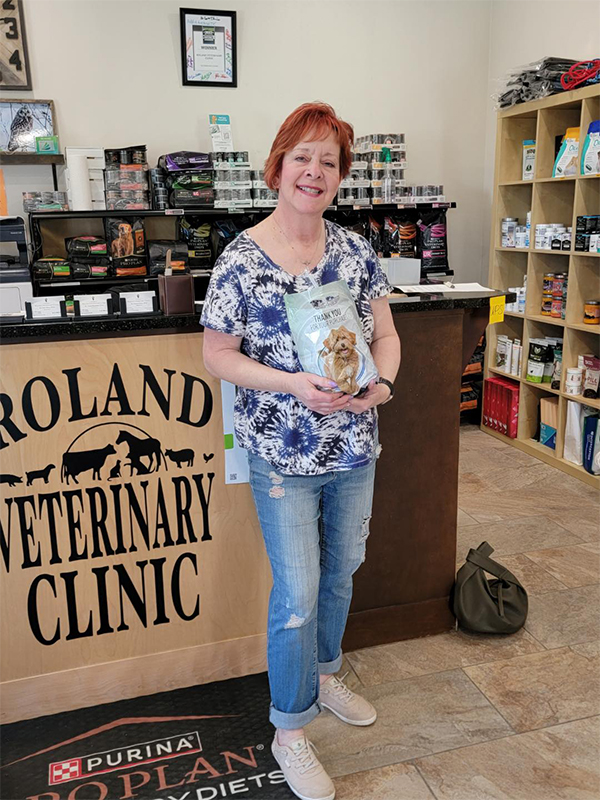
<point>311,452</point>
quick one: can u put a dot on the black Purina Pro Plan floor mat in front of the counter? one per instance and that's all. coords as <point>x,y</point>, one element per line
<point>202,743</point>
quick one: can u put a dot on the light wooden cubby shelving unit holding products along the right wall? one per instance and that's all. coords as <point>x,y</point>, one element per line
<point>549,199</point>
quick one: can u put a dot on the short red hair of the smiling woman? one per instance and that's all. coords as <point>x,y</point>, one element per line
<point>309,122</point>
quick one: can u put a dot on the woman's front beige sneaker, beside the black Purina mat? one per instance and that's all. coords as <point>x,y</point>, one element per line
<point>302,770</point>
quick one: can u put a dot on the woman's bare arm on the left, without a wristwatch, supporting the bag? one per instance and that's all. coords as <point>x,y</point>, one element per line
<point>223,359</point>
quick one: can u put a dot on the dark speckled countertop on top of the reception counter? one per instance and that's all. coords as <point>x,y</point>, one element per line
<point>13,333</point>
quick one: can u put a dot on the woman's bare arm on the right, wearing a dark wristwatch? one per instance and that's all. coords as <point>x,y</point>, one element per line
<point>386,352</point>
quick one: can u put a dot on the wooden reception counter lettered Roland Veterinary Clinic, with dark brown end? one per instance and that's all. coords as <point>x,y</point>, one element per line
<point>130,567</point>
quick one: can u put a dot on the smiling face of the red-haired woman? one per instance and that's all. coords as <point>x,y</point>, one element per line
<point>310,175</point>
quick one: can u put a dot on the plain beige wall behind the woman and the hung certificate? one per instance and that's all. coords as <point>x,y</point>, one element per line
<point>113,69</point>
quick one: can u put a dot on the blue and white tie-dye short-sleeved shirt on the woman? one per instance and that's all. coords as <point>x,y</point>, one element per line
<point>246,298</point>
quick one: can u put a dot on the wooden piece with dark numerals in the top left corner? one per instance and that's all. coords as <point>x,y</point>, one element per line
<point>14,61</point>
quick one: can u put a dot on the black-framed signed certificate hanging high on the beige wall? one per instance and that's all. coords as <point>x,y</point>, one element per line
<point>208,47</point>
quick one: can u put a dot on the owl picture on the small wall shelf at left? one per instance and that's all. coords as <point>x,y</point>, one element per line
<point>22,121</point>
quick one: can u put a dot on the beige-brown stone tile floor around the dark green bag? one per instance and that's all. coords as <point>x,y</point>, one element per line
<point>474,717</point>
